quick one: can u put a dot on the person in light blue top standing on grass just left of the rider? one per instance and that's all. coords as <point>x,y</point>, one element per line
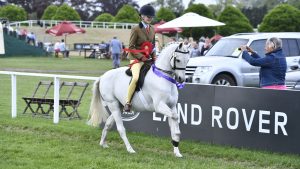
<point>116,48</point>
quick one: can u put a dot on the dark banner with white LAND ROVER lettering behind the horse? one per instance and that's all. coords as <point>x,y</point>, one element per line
<point>242,117</point>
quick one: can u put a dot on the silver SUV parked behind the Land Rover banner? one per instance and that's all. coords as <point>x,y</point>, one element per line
<point>223,63</point>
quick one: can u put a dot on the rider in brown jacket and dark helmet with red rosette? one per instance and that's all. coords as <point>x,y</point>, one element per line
<point>143,32</point>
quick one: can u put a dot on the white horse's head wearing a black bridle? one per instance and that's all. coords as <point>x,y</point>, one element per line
<point>179,60</point>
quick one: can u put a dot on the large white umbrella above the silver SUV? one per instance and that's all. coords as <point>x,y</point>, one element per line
<point>191,20</point>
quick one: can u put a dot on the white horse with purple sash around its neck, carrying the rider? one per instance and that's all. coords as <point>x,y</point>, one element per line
<point>159,94</point>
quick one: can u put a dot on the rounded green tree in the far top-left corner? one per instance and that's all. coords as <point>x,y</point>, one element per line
<point>13,13</point>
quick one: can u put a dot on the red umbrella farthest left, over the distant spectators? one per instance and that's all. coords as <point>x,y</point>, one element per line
<point>64,28</point>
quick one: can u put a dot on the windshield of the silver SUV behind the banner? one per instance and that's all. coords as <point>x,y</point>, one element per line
<point>226,47</point>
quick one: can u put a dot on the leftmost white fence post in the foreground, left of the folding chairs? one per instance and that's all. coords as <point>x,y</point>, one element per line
<point>13,96</point>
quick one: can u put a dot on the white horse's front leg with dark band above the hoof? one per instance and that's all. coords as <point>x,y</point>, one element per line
<point>173,123</point>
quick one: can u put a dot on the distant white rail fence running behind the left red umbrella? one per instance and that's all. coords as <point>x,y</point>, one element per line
<point>82,24</point>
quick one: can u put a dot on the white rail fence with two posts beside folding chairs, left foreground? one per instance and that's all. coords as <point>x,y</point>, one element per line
<point>56,89</point>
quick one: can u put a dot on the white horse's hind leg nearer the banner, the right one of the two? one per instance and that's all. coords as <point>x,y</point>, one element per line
<point>115,109</point>
